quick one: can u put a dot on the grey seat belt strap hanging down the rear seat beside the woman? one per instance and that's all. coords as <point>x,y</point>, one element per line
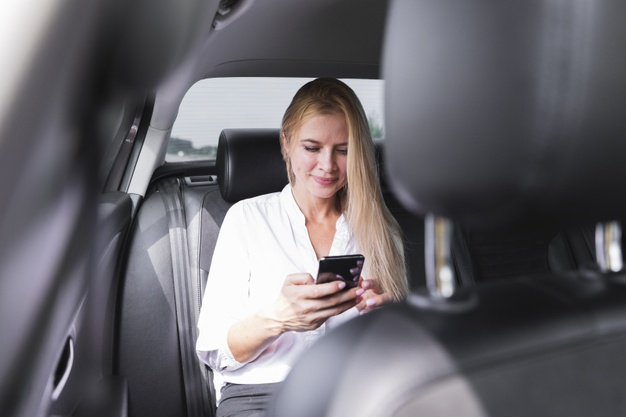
<point>187,302</point>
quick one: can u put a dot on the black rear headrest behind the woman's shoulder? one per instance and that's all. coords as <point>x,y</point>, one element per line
<point>249,163</point>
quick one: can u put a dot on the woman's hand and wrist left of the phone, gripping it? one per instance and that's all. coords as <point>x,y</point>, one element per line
<point>304,305</point>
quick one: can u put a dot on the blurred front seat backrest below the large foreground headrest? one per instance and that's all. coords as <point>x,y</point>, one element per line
<point>541,346</point>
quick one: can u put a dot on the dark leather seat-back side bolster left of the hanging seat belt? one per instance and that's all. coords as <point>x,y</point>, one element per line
<point>147,352</point>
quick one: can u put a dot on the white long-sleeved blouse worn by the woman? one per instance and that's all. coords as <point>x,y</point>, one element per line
<point>261,241</point>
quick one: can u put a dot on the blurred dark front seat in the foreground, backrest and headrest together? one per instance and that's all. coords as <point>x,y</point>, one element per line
<point>498,113</point>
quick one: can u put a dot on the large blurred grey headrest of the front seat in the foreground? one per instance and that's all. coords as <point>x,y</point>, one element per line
<point>499,112</point>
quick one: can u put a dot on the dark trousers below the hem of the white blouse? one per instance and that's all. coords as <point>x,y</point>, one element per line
<point>245,400</point>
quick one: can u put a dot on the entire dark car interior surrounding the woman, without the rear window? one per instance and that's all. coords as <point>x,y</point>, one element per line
<point>501,161</point>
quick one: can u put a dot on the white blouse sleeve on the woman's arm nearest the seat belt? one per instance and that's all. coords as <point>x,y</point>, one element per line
<point>226,292</point>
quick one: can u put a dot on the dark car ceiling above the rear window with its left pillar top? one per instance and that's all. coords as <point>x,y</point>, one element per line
<point>277,38</point>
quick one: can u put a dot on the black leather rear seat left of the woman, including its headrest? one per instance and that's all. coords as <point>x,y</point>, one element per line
<point>147,351</point>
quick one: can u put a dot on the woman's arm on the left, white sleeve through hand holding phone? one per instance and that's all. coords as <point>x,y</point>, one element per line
<point>233,333</point>
